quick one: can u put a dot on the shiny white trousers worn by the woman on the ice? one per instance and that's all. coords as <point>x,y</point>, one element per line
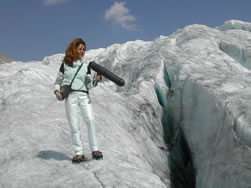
<point>79,103</point>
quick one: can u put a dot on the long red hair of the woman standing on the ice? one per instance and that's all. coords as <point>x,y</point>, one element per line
<point>71,54</point>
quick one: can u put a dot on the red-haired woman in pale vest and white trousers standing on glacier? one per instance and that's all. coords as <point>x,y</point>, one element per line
<point>78,100</point>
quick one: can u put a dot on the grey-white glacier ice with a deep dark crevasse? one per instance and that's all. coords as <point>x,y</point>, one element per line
<point>183,118</point>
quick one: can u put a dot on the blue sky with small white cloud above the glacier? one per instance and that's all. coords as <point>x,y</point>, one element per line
<point>33,29</point>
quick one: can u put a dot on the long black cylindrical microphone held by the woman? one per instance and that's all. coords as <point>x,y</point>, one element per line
<point>106,73</point>
